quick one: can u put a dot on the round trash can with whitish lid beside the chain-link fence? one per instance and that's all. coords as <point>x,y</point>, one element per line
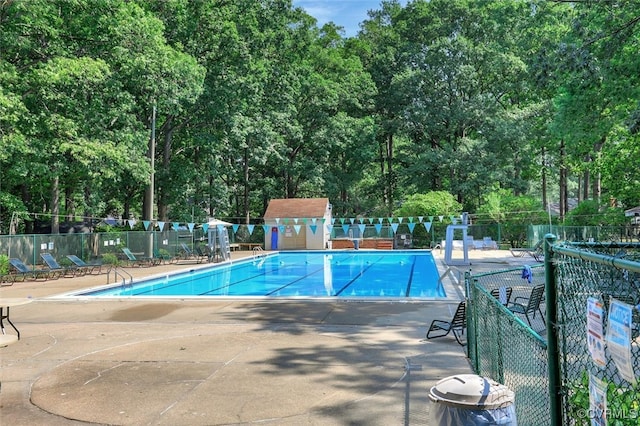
<point>470,400</point>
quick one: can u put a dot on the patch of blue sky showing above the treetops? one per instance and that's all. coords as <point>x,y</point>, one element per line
<point>345,13</point>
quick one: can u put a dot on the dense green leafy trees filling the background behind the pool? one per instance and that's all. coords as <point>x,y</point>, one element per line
<point>507,106</point>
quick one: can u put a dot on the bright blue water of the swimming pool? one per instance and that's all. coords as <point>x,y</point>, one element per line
<point>370,274</point>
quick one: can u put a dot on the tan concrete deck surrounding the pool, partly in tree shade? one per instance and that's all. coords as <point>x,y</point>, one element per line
<point>221,362</point>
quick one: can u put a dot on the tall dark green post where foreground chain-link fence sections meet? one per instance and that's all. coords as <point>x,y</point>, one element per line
<point>555,385</point>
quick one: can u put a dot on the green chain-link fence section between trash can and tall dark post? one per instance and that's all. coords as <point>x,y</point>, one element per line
<point>510,348</point>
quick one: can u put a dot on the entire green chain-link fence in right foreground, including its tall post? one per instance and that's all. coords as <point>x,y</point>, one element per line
<point>517,350</point>
